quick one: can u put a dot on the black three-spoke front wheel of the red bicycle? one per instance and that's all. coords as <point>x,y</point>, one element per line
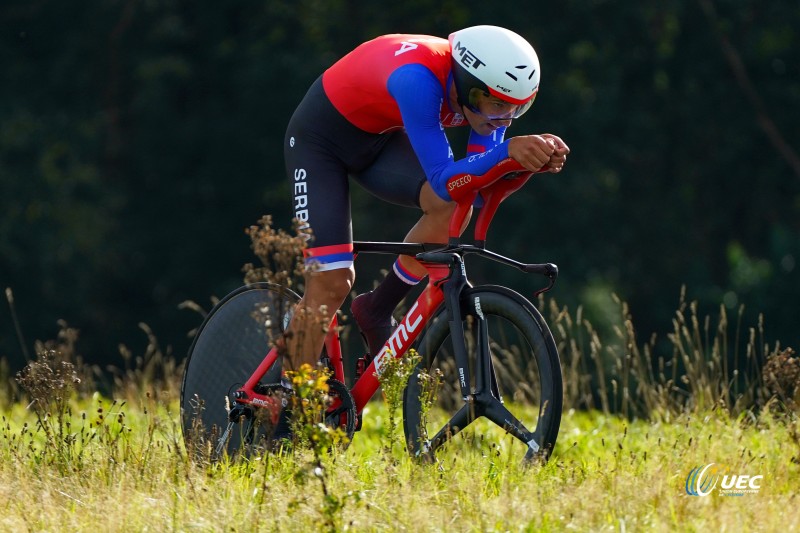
<point>526,368</point>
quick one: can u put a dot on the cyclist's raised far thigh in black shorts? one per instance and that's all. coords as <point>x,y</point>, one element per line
<point>395,175</point>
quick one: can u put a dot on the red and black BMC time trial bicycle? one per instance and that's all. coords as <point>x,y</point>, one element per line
<point>494,349</point>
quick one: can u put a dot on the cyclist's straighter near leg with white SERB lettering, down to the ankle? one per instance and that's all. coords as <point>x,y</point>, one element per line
<point>321,150</point>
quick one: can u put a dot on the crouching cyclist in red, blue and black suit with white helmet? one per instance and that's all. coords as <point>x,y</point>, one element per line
<point>378,116</point>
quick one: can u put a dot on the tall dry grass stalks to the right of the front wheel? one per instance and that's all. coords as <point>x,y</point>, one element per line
<point>706,365</point>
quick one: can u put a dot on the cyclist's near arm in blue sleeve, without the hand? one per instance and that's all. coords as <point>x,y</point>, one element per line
<point>419,96</point>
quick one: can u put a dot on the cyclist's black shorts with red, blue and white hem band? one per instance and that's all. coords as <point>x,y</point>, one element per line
<point>322,150</point>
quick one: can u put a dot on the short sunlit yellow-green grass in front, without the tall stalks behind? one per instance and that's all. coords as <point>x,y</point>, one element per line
<point>122,467</point>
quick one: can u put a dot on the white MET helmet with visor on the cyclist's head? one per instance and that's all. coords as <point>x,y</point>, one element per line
<point>494,60</point>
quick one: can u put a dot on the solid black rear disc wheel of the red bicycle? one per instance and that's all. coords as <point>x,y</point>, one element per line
<point>230,343</point>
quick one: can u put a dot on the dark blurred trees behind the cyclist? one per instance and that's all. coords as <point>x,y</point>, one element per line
<point>138,138</point>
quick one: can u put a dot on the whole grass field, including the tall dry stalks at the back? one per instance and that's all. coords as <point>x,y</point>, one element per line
<point>637,425</point>
